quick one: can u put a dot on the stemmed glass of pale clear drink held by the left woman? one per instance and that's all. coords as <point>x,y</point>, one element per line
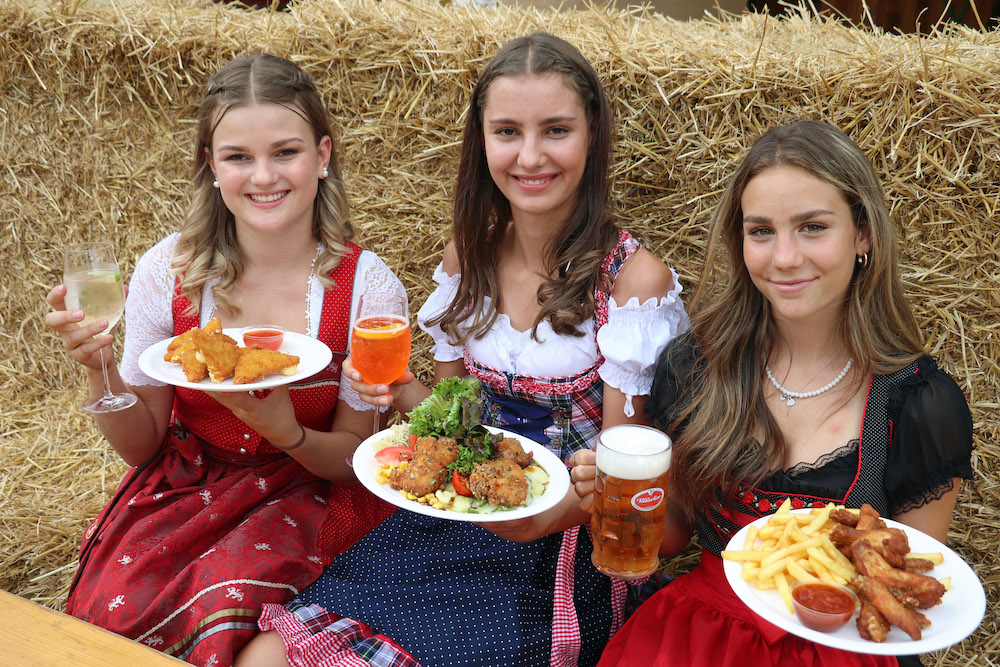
<point>94,285</point>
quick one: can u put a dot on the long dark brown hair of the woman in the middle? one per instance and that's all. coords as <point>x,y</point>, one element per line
<point>481,211</point>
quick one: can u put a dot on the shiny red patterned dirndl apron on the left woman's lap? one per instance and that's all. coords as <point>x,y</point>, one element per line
<point>195,543</point>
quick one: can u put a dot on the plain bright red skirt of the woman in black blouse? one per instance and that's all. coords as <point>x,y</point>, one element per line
<point>698,620</point>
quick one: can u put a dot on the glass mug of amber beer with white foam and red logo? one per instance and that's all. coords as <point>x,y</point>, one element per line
<point>630,500</point>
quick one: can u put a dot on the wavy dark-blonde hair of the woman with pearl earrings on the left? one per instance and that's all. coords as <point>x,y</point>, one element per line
<point>207,247</point>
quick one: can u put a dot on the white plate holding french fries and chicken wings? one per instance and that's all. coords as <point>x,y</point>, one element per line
<point>959,614</point>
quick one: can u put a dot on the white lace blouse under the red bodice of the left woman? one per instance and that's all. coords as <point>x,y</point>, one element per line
<point>149,313</point>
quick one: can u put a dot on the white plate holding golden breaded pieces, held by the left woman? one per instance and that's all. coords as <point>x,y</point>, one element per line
<point>313,356</point>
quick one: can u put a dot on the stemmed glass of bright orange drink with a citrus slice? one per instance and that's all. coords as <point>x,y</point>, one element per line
<point>380,339</point>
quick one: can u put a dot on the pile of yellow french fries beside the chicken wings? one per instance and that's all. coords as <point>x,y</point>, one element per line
<point>792,547</point>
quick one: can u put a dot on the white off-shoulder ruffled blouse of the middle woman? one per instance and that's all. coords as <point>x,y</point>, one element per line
<point>630,341</point>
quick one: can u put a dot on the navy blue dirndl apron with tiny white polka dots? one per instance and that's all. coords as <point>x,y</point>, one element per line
<point>454,594</point>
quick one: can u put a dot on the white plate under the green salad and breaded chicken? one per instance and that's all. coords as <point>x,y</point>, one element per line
<point>365,467</point>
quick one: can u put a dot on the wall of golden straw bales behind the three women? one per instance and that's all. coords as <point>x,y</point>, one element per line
<point>96,101</point>
